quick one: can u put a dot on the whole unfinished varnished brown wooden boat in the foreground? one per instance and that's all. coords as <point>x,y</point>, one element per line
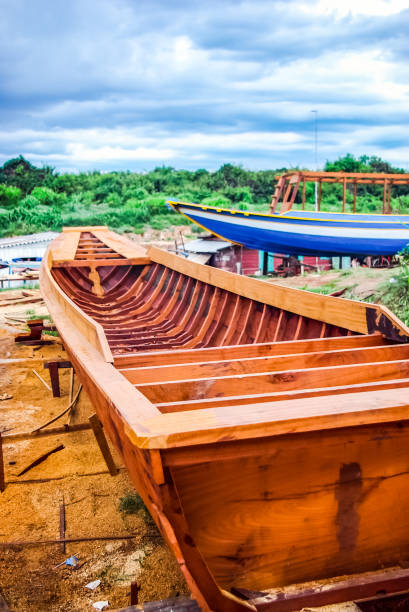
<point>266,428</point>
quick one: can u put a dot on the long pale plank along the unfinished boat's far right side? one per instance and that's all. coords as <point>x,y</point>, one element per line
<point>336,311</point>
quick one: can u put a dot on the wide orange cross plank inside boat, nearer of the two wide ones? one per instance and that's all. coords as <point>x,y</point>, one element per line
<point>281,380</point>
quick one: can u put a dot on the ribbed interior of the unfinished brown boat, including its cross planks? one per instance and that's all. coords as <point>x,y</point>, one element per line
<point>186,343</point>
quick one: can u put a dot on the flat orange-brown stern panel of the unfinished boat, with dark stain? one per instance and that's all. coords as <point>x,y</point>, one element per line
<point>263,522</point>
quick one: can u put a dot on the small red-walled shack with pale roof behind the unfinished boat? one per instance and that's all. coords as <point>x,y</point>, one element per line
<point>224,255</point>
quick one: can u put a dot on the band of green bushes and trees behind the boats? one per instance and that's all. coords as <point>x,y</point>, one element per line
<point>38,199</point>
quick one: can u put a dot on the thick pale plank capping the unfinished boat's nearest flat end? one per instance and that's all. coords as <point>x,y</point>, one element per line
<point>272,419</point>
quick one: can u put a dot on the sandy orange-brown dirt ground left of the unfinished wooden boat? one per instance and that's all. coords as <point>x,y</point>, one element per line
<point>30,504</point>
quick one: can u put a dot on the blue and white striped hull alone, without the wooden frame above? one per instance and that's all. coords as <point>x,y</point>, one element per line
<point>302,232</point>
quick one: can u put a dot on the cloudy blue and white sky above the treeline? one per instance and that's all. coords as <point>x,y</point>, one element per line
<point>135,84</point>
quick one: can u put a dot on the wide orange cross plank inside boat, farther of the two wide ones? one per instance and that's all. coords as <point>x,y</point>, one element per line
<point>265,364</point>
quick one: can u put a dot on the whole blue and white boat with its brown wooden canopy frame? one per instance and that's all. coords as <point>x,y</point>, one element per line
<point>317,233</point>
